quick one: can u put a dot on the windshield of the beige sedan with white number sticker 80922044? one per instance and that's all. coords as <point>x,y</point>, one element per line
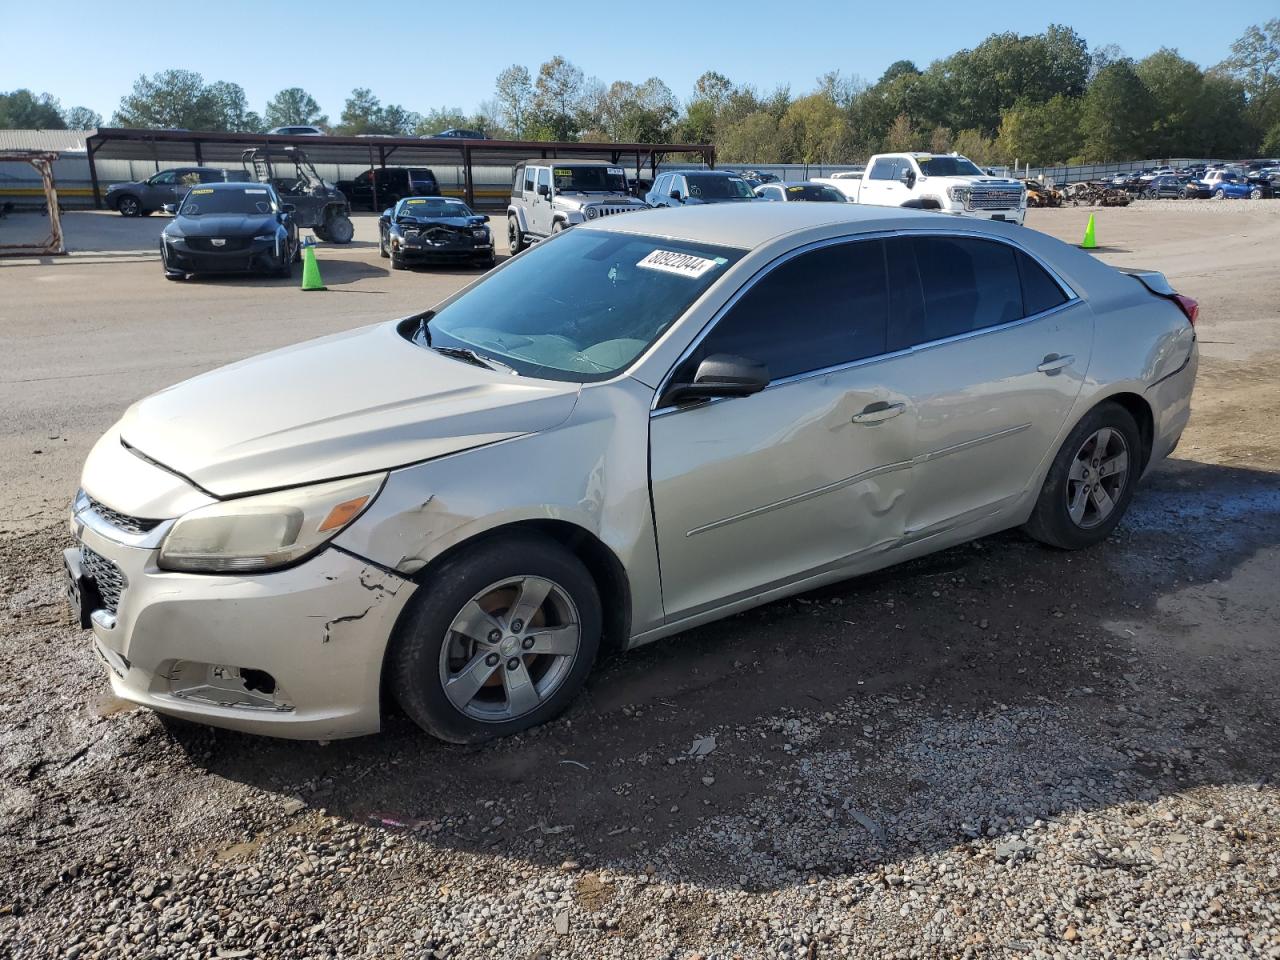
<point>582,308</point>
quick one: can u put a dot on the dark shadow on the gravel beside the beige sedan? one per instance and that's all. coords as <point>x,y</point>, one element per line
<point>1003,665</point>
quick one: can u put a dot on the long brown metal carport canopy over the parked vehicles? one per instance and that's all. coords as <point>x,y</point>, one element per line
<point>209,148</point>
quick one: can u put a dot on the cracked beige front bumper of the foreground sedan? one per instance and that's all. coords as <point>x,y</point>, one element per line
<point>296,653</point>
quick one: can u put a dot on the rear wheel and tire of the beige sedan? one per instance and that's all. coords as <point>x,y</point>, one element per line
<point>1091,482</point>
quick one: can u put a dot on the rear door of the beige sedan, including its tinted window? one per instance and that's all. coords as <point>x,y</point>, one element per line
<point>999,353</point>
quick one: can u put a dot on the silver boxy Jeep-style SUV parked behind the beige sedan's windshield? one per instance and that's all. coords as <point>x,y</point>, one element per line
<point>550,196</point>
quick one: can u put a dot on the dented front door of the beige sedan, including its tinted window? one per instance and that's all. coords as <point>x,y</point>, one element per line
<point>760,492</point>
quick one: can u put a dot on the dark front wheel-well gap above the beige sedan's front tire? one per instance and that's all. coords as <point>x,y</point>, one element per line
<point>601,561</point>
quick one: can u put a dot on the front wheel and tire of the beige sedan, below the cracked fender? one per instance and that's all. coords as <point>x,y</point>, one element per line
<point>502,642</point>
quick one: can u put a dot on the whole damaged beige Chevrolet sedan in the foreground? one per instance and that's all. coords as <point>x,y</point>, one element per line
<point>630,429</point>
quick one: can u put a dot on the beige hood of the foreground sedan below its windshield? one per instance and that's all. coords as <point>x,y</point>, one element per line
<point>350,404</point>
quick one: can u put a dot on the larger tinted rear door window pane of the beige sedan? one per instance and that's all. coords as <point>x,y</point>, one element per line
<point>968,285</point>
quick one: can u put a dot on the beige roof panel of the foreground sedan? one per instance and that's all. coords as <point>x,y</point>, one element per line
<point>749,226</point>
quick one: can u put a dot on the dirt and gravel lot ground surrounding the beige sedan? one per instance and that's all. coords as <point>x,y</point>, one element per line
<point>1000,751</point>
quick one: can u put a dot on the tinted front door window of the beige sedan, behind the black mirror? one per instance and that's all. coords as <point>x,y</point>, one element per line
<point>821,309</point>
